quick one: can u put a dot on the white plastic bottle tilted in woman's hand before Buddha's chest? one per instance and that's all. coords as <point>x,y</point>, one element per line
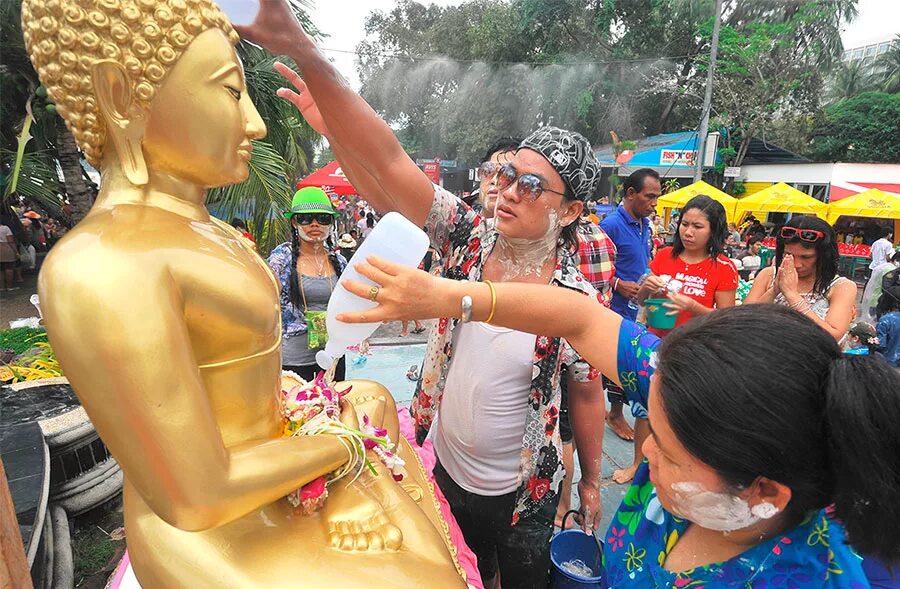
<point>394,238</point>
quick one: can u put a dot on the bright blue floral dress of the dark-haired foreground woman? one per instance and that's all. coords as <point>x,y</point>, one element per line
<point>814,554</point>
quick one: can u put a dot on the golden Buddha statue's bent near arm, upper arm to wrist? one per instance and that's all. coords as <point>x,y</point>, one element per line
<point>147,400</point>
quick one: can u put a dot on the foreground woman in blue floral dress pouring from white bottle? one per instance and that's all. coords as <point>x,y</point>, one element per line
<point>743,459</point>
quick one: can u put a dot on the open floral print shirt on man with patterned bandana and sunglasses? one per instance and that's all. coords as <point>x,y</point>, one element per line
<point>465,241</point>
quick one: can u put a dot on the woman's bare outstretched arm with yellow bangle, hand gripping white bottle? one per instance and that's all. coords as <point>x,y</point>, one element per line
<point>406,293</point>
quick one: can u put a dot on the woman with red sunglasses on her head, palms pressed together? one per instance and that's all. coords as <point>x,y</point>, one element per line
<point>805,278</point>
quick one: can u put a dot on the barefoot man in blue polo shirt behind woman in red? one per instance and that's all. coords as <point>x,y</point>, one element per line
<point>629,228</point>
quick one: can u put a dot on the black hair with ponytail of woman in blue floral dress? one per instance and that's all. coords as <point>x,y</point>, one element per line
<point>783,403</point>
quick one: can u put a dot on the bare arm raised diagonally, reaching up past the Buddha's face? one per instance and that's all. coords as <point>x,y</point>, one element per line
<point>363,136</point>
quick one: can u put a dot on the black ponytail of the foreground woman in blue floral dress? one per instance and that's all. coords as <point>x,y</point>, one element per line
<point>862,422</point>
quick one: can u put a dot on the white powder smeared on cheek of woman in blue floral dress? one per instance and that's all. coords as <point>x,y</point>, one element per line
<point>714,511</point>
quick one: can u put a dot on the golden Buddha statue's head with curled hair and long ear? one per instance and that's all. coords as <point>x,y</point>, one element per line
<point>147,85</point>
